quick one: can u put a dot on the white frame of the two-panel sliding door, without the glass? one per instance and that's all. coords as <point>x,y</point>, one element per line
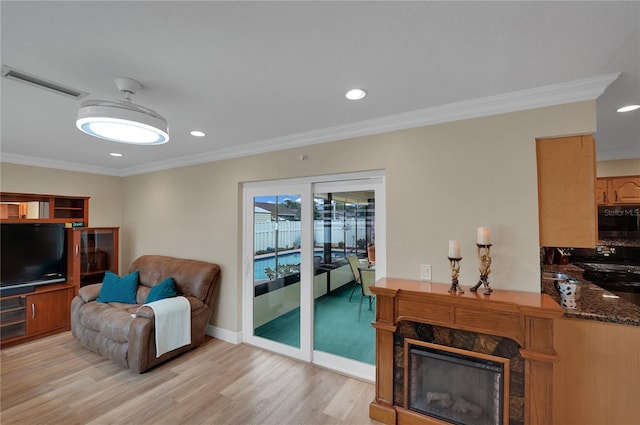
<point>306,187</point>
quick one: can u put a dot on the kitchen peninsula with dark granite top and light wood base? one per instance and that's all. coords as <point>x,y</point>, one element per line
<point>598,376</point>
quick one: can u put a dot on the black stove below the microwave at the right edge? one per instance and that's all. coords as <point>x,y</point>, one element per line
<point>616,269</point>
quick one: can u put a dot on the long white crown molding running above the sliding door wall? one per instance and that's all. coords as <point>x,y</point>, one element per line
<point>555,94</point>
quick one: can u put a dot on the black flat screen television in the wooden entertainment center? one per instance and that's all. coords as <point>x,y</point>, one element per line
<point>31,254</point>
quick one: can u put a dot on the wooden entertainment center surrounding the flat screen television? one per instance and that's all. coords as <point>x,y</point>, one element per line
<point>90,252</point>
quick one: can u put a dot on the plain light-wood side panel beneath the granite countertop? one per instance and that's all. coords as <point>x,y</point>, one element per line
<point>597,380</point>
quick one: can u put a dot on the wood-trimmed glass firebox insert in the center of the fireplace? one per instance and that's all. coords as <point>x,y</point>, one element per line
<point>457,386</point>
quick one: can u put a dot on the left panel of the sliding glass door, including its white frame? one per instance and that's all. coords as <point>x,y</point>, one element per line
<point>274,221</point>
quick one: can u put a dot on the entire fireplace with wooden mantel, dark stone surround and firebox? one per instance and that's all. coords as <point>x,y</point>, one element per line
<point>501,343</point>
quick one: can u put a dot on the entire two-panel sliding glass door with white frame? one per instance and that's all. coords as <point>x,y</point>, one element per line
<point>305,243</point>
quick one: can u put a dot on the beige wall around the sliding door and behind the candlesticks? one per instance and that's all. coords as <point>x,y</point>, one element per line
<point>442,182</point>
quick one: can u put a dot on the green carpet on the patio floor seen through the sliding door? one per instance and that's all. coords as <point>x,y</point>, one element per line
<point>336,326</point>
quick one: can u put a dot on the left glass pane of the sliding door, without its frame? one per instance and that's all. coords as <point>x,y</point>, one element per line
<point>276,268</point>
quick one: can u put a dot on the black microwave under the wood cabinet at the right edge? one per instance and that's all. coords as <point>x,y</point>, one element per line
<point>621,221</point>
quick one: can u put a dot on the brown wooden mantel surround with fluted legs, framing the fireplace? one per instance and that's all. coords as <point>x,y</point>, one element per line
<point>524,317</point>
